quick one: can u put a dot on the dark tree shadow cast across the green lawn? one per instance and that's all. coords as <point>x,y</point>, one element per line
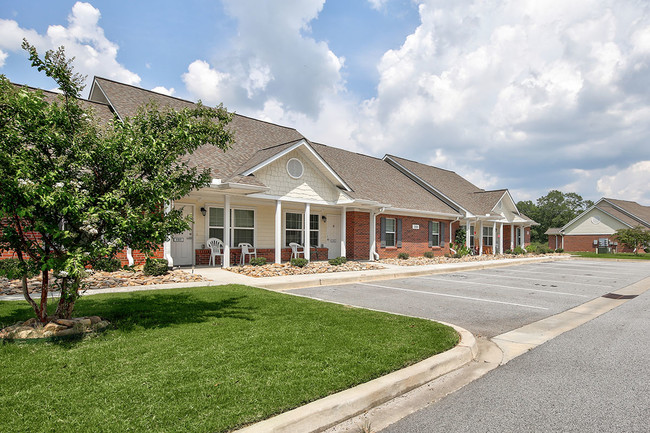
<point>149,310</point>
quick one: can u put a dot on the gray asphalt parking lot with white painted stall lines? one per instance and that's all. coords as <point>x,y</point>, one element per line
<point>492,301</point>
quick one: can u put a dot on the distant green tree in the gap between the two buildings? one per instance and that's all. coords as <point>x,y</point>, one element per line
<point>555,209</point>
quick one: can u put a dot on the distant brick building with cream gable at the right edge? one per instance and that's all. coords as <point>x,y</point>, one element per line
<point>594,229</point>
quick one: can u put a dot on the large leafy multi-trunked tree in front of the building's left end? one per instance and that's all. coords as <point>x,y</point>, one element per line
<point>74,191</point>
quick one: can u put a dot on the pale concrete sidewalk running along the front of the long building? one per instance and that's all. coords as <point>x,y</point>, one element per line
<point>219,276</point>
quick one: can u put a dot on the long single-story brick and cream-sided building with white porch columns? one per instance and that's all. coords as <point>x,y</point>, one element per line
<point>274,186</point>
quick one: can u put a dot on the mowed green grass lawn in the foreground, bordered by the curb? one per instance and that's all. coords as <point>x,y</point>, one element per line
<point>200,360</point>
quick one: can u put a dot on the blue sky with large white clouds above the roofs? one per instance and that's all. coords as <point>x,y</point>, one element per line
<point>525,95</point>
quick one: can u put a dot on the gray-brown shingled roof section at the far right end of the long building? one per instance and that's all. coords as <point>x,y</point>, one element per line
<point>455,187</point>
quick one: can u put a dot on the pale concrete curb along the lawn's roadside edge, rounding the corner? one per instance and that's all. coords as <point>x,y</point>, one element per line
<point>336,408</point>
